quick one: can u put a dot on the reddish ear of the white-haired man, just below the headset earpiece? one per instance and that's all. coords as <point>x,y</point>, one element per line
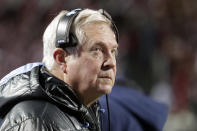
<point>59,57</point>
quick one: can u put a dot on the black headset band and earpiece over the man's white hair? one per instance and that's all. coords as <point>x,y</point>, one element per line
<point>64,38</point>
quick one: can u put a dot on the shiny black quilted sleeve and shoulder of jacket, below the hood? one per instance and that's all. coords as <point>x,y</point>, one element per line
<point>37,116</point>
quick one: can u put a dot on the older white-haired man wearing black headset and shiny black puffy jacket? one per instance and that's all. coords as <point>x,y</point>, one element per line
<point>79,55</point>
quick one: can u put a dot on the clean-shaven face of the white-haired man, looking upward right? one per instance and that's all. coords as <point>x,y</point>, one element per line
<point>92,72</point>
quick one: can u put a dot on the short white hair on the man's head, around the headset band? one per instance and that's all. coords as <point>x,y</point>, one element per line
<point>49,38</point>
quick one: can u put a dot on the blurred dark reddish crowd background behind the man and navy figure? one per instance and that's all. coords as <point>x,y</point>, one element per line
<point>157,54</point>
